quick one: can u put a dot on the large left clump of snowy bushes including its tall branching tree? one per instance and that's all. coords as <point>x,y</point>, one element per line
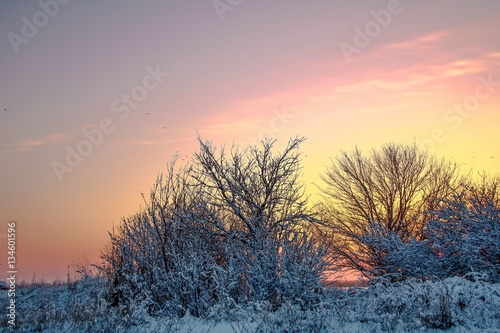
<point>226,230</point>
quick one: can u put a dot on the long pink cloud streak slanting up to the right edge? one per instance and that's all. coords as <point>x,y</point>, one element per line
<point>431,67</point>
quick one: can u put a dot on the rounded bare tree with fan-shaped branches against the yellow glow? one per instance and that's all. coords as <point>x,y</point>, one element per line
<point>392,187</point>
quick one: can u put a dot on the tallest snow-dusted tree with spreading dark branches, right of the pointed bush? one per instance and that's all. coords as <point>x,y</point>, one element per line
<point>256,203</point>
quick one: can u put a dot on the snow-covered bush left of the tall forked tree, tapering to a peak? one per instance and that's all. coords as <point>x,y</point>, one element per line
<point>165,256</point>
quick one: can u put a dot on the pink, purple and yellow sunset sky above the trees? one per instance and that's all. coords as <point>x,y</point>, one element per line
<point>97,97</point>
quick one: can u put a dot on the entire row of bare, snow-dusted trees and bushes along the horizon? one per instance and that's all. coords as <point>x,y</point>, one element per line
<point>235,226</point>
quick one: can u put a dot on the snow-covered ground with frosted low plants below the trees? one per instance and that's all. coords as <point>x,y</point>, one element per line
<point>452,305</point>
